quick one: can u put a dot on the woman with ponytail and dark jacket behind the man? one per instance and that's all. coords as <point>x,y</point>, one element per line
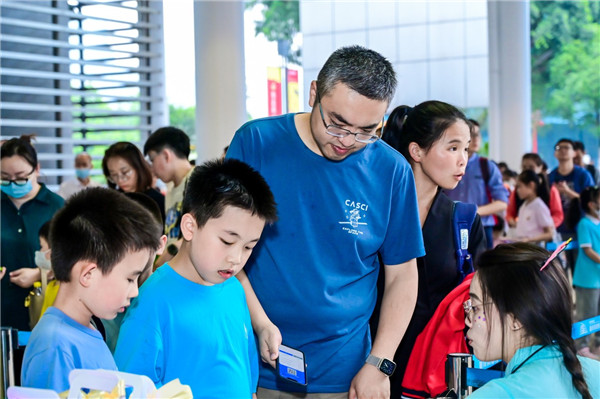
<point>434,137</point>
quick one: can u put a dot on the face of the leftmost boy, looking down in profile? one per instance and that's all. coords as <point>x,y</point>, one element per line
<point>111,293</point>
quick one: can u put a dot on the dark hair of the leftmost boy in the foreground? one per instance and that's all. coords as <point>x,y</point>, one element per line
<point>99,225</point>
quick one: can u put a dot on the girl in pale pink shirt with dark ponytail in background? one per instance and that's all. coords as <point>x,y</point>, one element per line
<point>534,223</point>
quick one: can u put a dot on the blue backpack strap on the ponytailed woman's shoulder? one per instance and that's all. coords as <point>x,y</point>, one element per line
<point>463,215</point>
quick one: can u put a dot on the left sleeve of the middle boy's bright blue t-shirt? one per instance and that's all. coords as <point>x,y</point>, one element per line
<point>139,347</point>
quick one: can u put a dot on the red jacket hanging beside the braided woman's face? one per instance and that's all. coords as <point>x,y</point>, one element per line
<point>425,375</point>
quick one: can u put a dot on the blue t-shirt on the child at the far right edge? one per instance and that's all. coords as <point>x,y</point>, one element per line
<point>587,272</point>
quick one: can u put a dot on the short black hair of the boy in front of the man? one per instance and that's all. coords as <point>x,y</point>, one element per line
<point>217,184</point>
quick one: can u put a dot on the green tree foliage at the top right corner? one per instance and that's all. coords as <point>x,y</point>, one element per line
<point>565,55</point>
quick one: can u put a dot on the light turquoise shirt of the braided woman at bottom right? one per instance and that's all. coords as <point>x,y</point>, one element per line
<point>542,376</point>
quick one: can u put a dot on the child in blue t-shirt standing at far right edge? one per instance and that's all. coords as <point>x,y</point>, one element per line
<point>586,278</point>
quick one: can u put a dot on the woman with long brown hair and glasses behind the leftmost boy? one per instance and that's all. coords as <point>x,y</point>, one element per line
<point>126,169</point>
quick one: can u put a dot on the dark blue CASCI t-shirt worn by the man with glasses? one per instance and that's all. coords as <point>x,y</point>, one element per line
<point>315,270</point>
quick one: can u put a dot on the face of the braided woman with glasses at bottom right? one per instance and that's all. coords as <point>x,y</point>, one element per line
<point>485,333</point>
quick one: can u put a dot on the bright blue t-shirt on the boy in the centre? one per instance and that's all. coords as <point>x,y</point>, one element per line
<point>200,334</point>
